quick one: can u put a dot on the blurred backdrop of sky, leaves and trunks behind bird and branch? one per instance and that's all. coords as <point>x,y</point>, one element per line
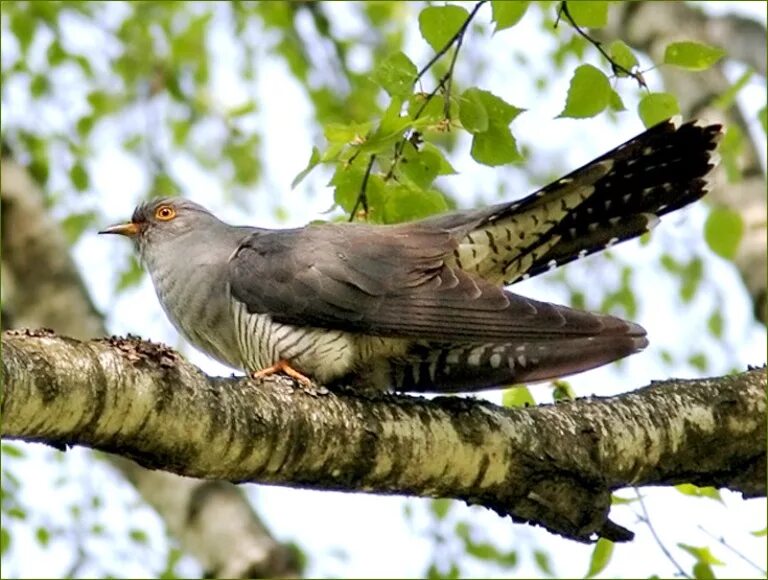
<point>107,103</point>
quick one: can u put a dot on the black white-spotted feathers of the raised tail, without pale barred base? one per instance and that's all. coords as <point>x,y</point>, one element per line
<point>659,171</point>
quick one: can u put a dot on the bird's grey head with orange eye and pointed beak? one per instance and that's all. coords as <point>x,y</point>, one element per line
<point>163,220</point>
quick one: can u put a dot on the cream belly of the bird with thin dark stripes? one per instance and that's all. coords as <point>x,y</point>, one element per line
<point>321,354</point>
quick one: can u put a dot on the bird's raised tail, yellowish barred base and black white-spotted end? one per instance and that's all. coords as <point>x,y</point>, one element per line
<point>615,197</point>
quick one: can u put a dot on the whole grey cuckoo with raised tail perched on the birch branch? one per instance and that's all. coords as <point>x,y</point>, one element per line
<point>421,306</point>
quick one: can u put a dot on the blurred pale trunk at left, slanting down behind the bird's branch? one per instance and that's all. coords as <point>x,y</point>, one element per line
<point>42,288</point>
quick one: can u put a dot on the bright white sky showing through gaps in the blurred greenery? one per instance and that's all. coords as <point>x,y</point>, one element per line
<point>366,536</point>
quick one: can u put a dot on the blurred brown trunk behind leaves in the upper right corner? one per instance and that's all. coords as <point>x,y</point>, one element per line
<point>650,27</point>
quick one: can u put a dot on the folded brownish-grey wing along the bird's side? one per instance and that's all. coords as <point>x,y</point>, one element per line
<point>392,281</point>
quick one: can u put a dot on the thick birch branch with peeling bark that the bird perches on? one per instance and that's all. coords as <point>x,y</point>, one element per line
<point>553,465</point>
